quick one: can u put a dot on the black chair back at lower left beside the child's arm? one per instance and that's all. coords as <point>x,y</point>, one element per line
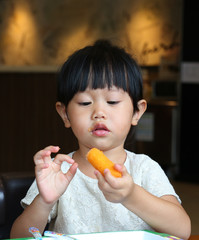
<point>13,187</point>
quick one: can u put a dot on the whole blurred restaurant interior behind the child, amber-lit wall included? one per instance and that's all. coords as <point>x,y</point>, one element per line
<point>37,36</point>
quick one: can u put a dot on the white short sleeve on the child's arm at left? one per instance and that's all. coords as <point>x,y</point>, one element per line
<point>30,196</point>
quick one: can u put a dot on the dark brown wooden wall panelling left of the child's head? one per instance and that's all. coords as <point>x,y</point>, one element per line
<point>29,121</point>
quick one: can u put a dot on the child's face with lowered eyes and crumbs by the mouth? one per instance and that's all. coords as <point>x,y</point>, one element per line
<point>101,118</point>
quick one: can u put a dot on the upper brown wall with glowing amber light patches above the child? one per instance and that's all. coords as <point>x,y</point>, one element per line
<point>45,32</point>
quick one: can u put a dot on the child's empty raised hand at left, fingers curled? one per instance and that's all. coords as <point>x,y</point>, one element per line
<point>51,181</point>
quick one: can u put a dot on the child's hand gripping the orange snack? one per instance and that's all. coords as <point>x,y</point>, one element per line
<point>115,189</point>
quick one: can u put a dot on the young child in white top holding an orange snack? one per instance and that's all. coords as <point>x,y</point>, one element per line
<point>100,98</point>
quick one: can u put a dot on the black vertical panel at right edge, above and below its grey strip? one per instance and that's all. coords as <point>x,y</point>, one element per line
<point>189,100</point>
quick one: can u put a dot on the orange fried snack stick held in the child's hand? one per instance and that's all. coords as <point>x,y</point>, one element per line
<point>101,162</point>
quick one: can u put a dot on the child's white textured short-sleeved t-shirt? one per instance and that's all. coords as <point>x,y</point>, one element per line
<point>84,209</point>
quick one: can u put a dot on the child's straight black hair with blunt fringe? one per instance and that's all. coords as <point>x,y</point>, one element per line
<point>98,66</point>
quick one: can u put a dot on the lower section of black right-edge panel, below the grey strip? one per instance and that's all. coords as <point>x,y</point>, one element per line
<point>189,139</point>
